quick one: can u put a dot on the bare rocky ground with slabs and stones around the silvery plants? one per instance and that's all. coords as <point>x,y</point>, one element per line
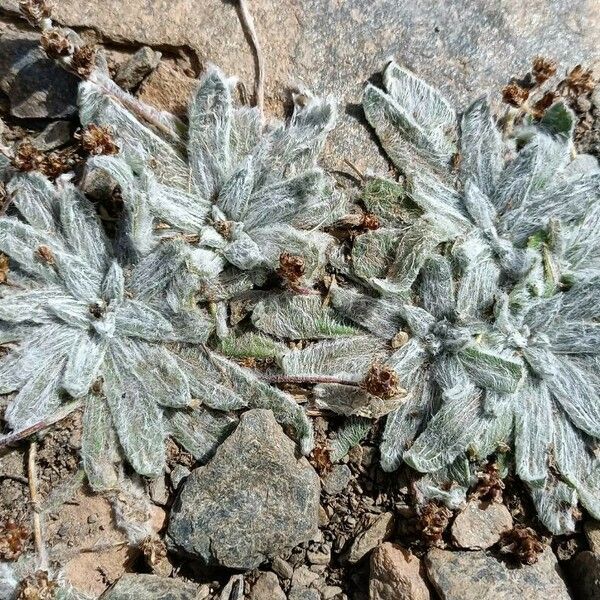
<point>309,529</point>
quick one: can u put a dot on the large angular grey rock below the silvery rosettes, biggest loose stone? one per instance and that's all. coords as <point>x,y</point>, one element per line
<point>252,501</point>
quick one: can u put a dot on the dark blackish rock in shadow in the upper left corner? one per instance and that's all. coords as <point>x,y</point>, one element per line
<point>36,87</point>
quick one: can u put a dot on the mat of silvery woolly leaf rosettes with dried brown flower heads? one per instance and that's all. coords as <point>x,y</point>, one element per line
<point>463,305</point>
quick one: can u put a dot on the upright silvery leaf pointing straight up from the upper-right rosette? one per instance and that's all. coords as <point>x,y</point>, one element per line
<point>481,147</point>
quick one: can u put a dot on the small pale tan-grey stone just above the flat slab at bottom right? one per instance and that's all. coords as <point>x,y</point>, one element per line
<point>479,526</point>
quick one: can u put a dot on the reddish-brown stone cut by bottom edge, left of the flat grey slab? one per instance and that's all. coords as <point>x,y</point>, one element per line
<point>396,574</point>
